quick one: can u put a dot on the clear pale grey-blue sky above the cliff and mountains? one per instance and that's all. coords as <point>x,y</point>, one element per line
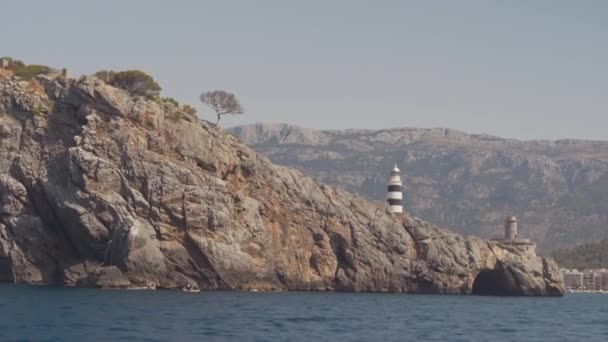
<point>520,69</point>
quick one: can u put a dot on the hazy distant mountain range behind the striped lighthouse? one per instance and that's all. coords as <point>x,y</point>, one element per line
<point>453,179</point>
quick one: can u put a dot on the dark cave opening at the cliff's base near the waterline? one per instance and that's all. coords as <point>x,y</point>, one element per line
<point>495,282</point>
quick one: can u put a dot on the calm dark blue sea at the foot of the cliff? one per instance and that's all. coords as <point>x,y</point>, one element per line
<point>60,314</point>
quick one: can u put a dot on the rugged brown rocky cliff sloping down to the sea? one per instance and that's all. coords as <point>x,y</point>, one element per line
<point>99,188</point>
